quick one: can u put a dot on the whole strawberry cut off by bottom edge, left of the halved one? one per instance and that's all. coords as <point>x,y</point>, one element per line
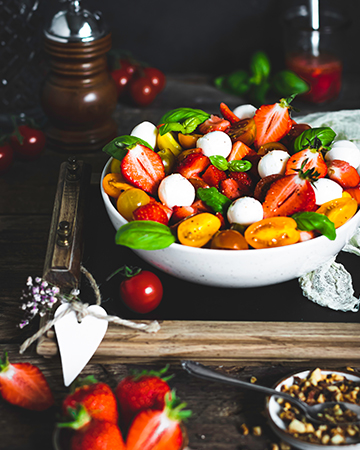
<point>90,433</point>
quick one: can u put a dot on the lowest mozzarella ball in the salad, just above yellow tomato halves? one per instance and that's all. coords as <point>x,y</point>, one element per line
<point>245,211</point>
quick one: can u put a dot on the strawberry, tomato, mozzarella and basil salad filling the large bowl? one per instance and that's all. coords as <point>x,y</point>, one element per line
<point>246,178</point>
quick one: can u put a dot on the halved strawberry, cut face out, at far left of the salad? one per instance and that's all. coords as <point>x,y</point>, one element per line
<point>143,168</point>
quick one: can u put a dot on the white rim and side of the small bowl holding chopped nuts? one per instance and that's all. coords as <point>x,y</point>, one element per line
<point>273,410</point>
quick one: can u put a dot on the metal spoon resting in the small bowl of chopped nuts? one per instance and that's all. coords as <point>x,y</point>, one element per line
<point>311,411</point>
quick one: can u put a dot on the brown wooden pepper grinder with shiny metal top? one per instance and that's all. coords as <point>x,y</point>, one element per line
<point>79,94</point>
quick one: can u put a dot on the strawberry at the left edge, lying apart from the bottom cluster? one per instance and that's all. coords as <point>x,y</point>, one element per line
<point>24,385</point>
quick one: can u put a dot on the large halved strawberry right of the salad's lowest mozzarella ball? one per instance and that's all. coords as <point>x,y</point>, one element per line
<point>290,194</point>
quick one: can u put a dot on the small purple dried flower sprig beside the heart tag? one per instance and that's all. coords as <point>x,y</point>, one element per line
<point>39,297</point>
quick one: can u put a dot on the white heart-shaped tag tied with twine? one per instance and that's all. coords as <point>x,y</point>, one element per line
<point>78,341</point>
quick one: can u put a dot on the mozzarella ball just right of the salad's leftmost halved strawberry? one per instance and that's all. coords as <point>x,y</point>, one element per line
<point>176,190</point>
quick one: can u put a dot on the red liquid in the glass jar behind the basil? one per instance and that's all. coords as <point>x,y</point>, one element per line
<point>322,73</point>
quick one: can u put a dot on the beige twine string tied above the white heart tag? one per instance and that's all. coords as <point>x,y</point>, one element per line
<point>82,310</point>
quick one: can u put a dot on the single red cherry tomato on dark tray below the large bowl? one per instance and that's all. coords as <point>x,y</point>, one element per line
<point>142,293</point>
